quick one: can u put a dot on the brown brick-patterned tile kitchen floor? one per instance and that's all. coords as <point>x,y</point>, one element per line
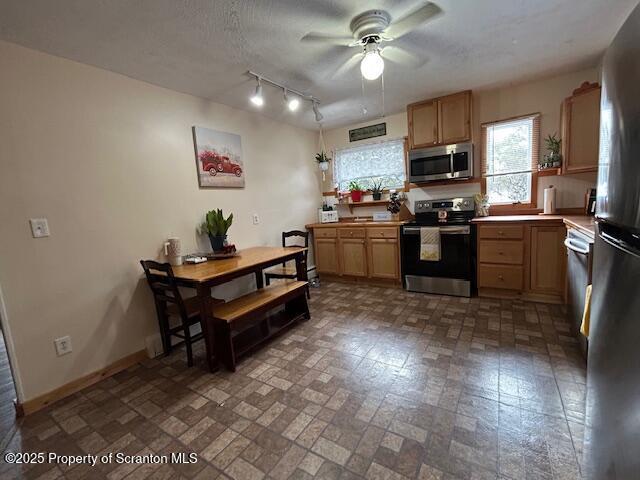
<point>380,384</point>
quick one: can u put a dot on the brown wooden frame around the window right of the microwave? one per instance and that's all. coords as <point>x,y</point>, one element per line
<point>535,156</point>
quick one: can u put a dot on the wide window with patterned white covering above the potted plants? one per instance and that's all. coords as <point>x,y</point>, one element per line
<point>373,162</point>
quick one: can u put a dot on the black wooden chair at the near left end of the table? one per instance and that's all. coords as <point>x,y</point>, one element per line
<point>170,305</point>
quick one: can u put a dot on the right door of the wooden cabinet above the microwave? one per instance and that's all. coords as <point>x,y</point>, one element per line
<point>455,118</point>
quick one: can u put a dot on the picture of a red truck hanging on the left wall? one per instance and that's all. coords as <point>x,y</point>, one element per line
<point>218,158</point>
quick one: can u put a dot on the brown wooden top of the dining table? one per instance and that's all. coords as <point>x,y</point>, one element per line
<point>248,259</point>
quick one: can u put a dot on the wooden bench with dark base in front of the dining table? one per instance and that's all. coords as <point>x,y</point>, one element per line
<point>245,322</point>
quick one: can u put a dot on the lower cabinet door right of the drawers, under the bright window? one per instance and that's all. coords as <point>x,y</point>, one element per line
<point>547,259</point>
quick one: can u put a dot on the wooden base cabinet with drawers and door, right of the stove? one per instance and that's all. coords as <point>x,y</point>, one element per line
<point>524,259</point>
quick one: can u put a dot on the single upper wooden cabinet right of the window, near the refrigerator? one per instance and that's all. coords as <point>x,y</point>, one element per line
<point>581,129</point>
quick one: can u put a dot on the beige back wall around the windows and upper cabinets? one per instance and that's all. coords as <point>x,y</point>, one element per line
<point>544,96</point>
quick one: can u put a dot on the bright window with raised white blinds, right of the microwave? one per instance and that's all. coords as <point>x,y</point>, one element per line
<point>510,150</point>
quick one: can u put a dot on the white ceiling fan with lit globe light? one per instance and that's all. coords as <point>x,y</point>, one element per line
<point>372,28</point>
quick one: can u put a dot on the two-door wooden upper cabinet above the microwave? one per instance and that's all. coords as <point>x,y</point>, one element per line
<point>440,121</point>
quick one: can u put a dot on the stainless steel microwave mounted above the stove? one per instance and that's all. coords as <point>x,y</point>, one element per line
<point>441,163</point>
